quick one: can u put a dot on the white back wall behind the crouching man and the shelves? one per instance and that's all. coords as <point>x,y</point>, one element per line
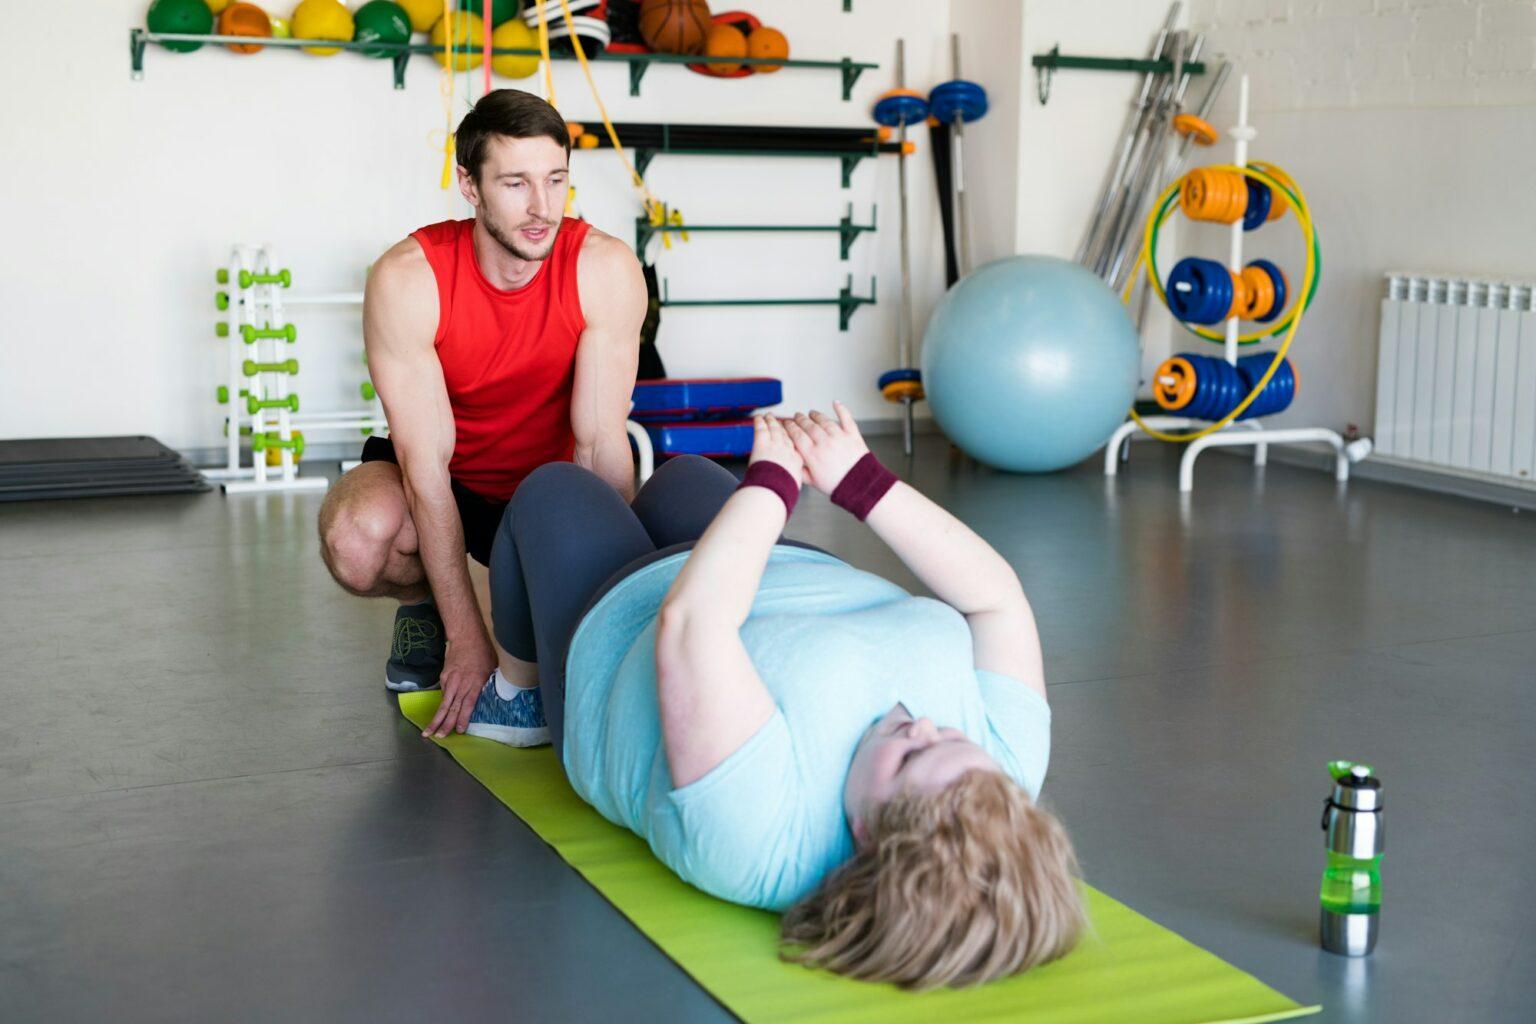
<point>122,197</point>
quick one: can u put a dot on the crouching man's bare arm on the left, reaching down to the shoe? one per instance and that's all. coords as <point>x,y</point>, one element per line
<point>400,322</point>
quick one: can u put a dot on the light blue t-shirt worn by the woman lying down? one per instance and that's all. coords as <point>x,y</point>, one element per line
<point>836,647</point>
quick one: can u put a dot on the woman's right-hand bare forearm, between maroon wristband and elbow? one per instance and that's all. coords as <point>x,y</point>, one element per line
<point>962,569</point>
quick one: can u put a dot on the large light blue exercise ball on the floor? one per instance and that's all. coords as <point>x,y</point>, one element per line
<point>1030,365</point>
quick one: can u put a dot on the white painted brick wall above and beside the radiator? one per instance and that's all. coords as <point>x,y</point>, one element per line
<point>1409,127</point>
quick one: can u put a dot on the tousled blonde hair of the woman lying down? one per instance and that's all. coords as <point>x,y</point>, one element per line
<point>955,888</point>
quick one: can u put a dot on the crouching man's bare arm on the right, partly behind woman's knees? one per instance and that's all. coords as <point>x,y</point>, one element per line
<point>614,303</point>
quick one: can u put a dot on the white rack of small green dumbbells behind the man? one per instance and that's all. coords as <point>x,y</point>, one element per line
<point>262,403</point>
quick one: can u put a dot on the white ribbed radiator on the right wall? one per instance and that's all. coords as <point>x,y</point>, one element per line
<point>1457,375</point>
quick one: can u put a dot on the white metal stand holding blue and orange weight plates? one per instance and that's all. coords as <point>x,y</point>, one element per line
<point>1242,432</point>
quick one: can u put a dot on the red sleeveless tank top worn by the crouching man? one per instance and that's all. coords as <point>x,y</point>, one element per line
<point>509,358</point>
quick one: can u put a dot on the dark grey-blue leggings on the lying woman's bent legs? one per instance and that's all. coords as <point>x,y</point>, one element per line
<point>568,538</point>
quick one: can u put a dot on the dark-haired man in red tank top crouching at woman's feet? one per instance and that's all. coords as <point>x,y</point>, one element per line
<point>497,345</point>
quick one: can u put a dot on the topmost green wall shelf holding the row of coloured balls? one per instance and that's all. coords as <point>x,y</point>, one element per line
<point>400,56</point>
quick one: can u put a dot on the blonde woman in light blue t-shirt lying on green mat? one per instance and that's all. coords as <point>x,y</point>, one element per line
<point>789,732</point>
